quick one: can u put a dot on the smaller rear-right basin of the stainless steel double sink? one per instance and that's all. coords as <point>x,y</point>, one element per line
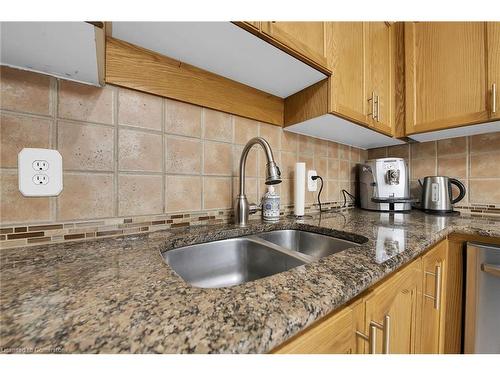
<point>313,244</point>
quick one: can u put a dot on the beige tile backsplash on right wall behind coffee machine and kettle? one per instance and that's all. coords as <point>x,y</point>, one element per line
<point>474,160</point>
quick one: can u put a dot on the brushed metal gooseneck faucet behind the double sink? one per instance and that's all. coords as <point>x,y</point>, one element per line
<point>273,176</point>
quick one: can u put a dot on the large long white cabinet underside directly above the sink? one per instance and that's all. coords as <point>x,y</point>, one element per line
<point>224,49</point>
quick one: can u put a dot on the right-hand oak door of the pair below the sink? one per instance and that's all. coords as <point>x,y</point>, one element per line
<point>394,307</point>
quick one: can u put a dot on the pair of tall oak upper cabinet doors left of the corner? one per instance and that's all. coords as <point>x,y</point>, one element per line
<point>361,57</point>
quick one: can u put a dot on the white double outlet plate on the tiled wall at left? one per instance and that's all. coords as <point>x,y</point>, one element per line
<point>27,172</point>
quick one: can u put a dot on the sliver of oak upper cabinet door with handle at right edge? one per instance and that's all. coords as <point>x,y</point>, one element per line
<point>493,35</point>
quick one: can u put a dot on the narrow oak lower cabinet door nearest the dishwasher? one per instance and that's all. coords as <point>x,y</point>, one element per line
<point>434,265</point>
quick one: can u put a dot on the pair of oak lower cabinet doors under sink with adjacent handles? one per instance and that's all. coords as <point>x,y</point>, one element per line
<point>347,331</point>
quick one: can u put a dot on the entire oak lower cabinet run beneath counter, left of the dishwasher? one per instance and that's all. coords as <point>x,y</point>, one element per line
<point>415,310</point>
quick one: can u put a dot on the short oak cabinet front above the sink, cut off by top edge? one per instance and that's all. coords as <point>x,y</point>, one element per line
<point>305,38</point>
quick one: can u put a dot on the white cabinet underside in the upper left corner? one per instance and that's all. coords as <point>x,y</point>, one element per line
<point>62,49</point>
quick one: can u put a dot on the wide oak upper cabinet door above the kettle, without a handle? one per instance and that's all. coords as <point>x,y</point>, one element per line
<point>445,75</point>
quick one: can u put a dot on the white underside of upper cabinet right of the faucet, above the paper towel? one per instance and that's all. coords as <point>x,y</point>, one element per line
<point>333,128</point>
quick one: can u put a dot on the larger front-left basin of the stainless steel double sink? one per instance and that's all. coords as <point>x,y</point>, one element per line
<point>228,262</point>
